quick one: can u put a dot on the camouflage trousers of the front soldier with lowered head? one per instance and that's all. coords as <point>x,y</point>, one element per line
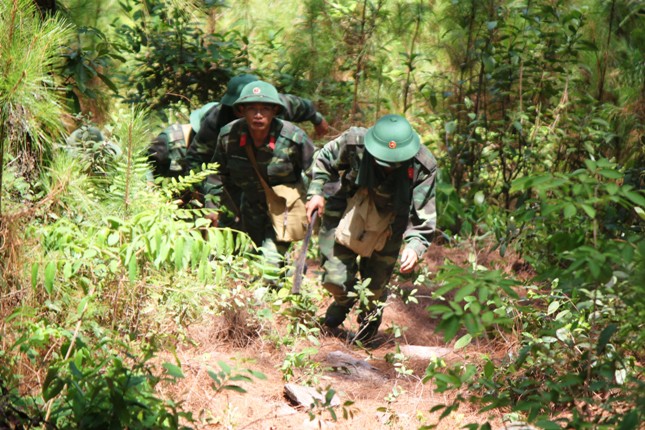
<point>342,267</point>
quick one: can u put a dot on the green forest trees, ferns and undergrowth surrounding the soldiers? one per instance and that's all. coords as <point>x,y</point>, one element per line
<point>534,109</point>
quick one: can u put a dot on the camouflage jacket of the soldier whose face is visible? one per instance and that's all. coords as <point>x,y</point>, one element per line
<point>285,155</point>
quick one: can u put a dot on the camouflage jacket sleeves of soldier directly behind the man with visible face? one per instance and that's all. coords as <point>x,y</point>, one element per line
<point>202,147</point>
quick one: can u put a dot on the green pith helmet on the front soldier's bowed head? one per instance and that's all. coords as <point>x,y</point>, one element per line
<point>392,140</point>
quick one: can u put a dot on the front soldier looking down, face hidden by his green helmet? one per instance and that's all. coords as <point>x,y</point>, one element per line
<point>388,178</point>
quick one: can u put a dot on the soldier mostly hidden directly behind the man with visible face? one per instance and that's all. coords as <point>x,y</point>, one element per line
<point>295,109</point>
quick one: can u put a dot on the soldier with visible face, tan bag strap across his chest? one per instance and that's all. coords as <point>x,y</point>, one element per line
<point>282,152</point>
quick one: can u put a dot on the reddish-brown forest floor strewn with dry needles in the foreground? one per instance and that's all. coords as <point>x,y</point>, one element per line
<point>382,397</point>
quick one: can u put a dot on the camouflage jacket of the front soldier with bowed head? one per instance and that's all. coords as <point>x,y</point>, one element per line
<point>340,159</point>
